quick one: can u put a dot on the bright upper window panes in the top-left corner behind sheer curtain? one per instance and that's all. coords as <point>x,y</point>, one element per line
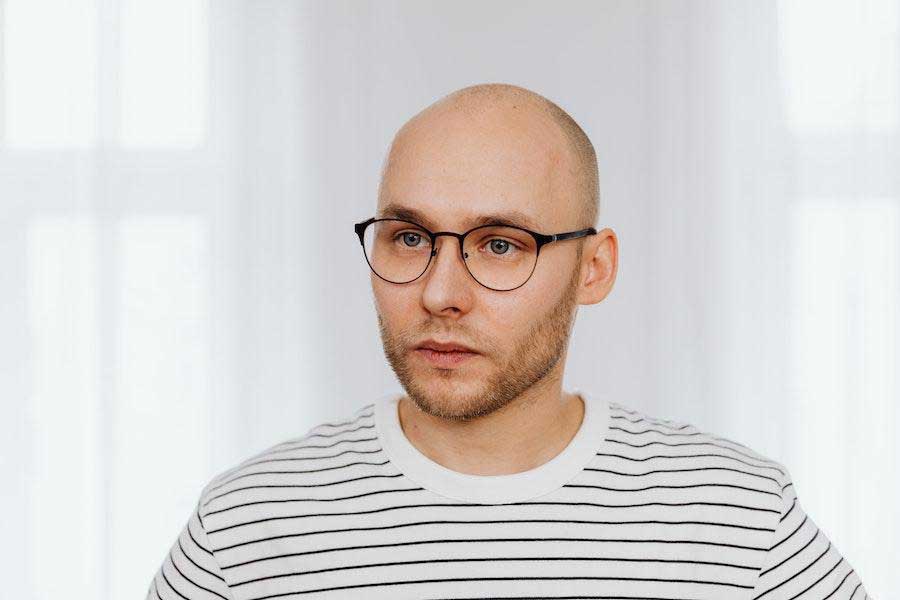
<point>59,74</point>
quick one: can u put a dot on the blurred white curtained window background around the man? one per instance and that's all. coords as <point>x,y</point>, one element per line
<point>180,285</point>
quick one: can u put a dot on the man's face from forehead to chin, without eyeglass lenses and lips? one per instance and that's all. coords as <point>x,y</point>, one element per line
<point>453,167</point>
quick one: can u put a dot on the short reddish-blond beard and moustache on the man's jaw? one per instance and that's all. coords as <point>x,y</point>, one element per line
<point>449,394</point>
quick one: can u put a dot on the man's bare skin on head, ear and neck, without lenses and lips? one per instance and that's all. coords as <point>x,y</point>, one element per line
<point>486,149</point>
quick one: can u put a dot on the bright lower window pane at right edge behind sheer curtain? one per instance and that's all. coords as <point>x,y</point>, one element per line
<point>845,276</point>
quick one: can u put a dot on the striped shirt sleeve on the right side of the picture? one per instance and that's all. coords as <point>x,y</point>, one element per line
<point>801,562</point>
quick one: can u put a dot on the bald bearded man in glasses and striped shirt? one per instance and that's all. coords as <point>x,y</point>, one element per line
<point>486,479</point>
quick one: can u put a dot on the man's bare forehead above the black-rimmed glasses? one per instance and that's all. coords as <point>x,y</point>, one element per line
<point>458,172</point>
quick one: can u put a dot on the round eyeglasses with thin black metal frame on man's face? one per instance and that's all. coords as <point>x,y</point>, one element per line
<point>499,257</point>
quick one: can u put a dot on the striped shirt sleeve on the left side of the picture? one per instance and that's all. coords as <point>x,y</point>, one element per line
<point>190,570</point>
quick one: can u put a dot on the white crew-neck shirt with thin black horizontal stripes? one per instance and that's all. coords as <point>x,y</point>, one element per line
<point>633,507</point>
